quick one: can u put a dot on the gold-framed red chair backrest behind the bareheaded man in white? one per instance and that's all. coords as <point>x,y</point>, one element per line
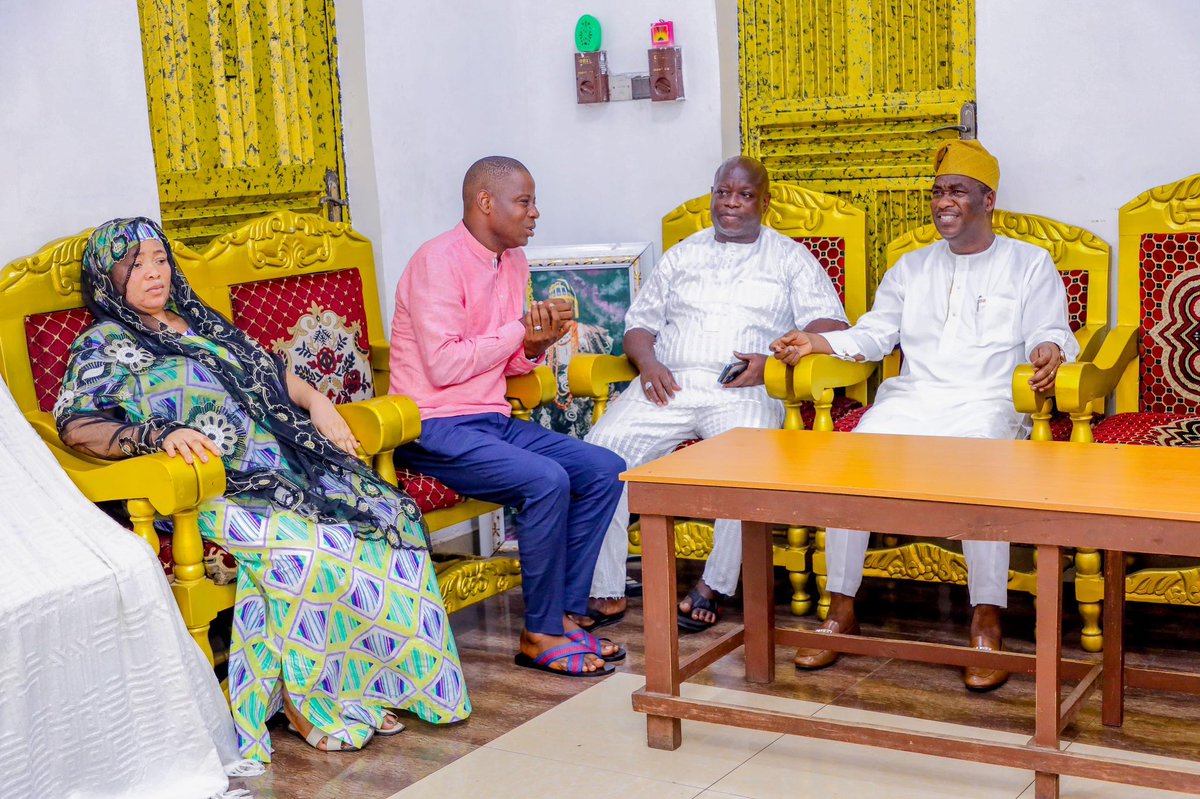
<point>833,230</point>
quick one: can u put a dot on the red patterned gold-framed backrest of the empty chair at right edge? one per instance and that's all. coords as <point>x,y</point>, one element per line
<point>1159,277</point>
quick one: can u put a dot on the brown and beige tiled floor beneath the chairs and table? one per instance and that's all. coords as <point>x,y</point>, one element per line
<point>542,736</point>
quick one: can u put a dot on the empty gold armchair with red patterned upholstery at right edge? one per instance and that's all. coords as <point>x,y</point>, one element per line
<point>1150,361</point>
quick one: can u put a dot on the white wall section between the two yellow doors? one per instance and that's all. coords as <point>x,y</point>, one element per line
<point>452,82</point>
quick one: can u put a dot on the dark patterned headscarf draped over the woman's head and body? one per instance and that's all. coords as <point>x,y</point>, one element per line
<point>257,382</point>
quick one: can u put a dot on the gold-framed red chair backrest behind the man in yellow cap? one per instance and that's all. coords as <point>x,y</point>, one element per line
<point>1081,257</point>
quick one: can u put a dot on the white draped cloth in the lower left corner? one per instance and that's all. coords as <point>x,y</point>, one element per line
<point>103,692</point>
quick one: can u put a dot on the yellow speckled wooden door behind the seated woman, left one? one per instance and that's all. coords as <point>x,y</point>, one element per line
<point>244,111</point>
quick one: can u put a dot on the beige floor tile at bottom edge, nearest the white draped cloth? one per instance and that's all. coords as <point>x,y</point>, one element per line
<point>496,773</point>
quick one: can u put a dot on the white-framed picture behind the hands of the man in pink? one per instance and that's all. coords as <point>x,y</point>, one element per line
<point>601,283</point>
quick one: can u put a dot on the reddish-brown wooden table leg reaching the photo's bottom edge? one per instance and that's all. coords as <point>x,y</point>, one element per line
<point>1049,654</point>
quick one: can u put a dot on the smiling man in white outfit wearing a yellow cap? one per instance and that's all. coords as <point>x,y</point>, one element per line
<point>965,311</point>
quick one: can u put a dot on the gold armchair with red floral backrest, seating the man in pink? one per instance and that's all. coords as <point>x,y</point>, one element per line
<point>307,289</point>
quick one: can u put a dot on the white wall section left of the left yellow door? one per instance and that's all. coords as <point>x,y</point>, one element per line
<point>75,135</point>
